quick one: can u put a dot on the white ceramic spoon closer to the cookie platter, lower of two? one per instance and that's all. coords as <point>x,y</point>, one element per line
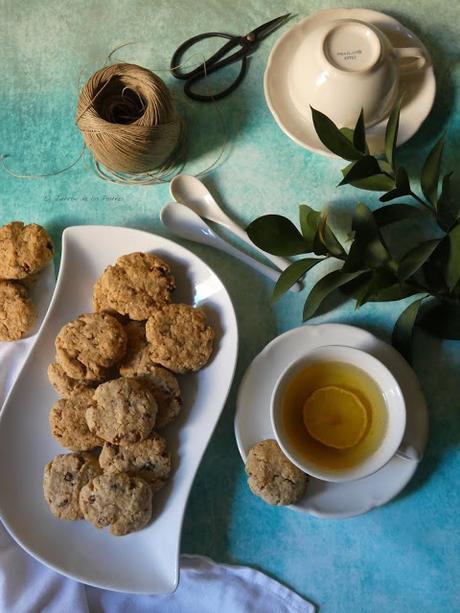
<point>187,224</point>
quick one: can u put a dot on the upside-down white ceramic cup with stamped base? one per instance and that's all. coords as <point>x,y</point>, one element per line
<point>347,65</point>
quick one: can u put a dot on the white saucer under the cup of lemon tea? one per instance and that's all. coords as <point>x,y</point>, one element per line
<point>252,420</point>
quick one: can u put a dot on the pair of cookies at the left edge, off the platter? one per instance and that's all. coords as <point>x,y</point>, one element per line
<point>24,251</point>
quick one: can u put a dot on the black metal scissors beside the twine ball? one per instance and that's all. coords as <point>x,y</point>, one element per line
<point>248,44</point>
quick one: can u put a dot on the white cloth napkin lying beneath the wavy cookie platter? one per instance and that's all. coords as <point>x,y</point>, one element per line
<point>27,586</point>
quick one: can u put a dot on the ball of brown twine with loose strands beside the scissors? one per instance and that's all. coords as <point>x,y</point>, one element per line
<point>129,123</point>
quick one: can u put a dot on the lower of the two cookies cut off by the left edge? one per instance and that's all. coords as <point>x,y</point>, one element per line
<point>17,313</point>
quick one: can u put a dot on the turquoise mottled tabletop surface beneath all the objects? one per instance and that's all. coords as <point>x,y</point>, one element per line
<point>403,557</point>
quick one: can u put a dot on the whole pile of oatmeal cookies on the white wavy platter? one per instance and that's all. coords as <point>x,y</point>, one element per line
<point>115,372</point>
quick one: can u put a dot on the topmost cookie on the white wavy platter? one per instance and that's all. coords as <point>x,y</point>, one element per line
<point>136,285</point>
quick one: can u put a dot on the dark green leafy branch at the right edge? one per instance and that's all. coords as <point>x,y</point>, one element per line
<point>370,271</point>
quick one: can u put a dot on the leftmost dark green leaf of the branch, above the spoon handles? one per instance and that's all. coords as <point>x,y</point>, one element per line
<point>277,235</point>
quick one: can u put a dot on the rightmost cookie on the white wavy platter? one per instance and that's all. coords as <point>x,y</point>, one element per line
<point>179,338</point>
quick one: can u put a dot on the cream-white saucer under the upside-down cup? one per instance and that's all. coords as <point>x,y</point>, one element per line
<point>294,117</point>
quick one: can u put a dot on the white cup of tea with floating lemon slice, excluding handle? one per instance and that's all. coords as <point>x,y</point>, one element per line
<point>338,413</point>
